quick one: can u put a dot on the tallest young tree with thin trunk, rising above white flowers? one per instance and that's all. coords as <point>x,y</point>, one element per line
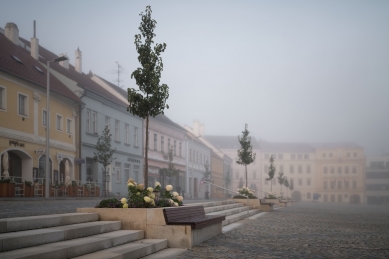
<point>150,99</point>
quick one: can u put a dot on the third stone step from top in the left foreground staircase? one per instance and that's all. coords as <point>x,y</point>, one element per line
<point>76,247</point>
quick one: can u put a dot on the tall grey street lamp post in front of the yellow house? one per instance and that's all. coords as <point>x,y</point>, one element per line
<point>47,153</point>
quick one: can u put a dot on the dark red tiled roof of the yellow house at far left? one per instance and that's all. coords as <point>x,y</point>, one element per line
<point>26,70</point>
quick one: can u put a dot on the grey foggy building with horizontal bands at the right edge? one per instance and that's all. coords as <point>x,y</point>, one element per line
<point>377,179</point>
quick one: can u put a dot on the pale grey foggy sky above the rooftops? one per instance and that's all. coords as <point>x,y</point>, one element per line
<point>294,71</point>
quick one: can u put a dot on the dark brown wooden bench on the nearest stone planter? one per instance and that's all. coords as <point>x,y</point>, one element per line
<point>190,215</point>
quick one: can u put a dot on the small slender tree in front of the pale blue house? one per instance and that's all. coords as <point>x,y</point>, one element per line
<point>104,153</point>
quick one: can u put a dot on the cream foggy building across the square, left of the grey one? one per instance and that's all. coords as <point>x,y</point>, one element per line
<point>340,172</point>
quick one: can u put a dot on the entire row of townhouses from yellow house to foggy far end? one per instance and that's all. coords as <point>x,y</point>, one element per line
<point>82,105</point>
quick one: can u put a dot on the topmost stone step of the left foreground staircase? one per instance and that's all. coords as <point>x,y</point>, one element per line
<point>45,221</point>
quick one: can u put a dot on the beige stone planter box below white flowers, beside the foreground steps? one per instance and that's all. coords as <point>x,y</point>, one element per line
<point>152,222</point>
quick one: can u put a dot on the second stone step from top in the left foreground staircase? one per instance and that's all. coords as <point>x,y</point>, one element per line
<point>27,238</point>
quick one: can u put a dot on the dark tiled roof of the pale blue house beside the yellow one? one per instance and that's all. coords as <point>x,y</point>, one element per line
<point>81,78</point>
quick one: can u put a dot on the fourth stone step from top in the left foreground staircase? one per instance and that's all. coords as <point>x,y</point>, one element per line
<point>132,250</point>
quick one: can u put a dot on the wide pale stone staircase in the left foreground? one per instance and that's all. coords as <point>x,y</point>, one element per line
<point>74,235</point>
